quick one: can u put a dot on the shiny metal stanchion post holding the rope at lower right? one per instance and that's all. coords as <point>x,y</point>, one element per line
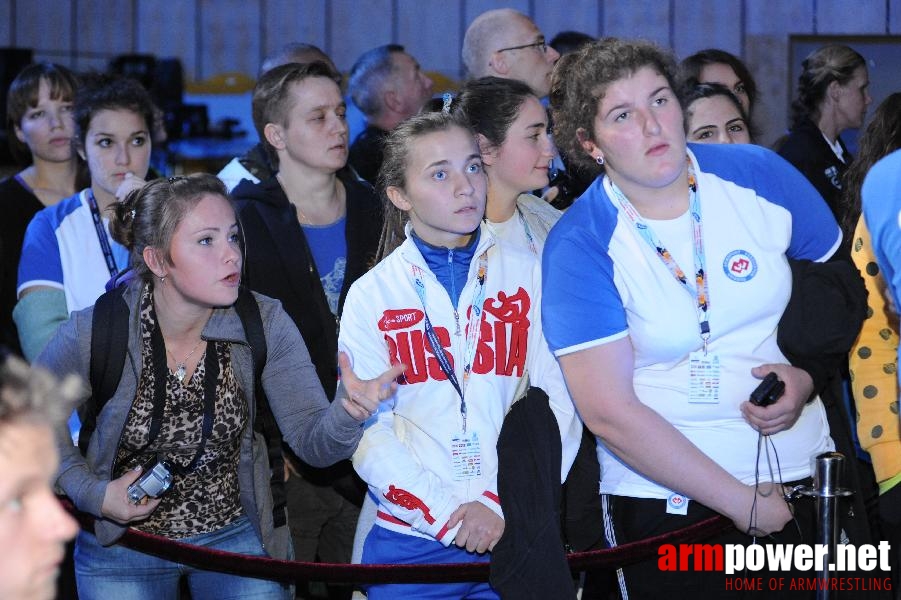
<point>827,475</point>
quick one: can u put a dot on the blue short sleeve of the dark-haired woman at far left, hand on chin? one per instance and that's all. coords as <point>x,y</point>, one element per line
<point>40,263</point>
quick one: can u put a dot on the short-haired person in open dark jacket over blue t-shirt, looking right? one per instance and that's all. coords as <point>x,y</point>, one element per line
<point>310,231</point>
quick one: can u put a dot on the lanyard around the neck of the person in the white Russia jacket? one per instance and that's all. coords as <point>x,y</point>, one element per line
<point>472,332</point>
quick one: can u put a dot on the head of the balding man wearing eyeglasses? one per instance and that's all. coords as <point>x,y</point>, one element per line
<point>506,43</point>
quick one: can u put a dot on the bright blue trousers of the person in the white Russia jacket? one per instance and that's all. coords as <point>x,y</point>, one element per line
<point>384,546</point>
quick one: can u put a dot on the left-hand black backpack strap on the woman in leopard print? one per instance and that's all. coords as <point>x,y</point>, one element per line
<point>109,346</point>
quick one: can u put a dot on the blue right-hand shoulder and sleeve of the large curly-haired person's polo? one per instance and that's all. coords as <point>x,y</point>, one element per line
<point>815,234</point>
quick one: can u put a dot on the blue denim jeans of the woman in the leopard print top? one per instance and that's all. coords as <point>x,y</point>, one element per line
<point>120,573</point>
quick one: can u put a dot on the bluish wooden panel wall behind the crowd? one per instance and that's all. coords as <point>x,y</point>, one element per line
<point>214,36</point>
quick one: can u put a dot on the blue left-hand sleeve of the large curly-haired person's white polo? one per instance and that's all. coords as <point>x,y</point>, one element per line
<point>581,306</point>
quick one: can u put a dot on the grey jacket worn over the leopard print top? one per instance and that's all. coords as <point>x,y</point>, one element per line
<point>320,433</point>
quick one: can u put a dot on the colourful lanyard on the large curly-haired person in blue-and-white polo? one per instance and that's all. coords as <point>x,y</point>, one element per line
<point>700,292</point>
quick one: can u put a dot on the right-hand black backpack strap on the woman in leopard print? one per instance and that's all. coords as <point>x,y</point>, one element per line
<point>264,421</point>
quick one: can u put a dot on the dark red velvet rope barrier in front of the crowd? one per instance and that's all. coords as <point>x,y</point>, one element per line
<point>296,571</point>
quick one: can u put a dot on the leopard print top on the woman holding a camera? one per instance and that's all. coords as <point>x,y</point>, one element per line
<point>208,497</point>
